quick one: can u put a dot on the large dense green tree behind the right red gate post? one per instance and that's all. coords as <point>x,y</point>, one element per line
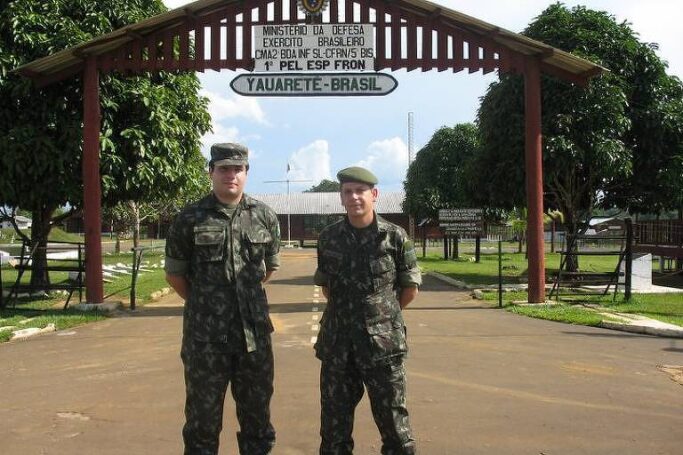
<point>593,136</point>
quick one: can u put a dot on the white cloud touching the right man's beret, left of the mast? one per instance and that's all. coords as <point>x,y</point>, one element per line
<point>388,160</point>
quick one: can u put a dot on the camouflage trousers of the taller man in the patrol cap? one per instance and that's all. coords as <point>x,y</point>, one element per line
<point>208,372</point>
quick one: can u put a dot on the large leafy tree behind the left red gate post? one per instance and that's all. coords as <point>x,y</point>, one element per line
<point>151,125</point>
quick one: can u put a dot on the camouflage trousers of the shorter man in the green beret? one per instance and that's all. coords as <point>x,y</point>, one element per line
<point>341,389</point>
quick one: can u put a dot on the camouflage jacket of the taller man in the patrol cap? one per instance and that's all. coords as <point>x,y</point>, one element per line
<point>224,257</point>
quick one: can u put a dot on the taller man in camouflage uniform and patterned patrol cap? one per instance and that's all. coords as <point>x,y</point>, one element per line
<point>219,251</point>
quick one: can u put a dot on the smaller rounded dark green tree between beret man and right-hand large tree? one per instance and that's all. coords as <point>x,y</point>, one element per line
<point>437,178</point>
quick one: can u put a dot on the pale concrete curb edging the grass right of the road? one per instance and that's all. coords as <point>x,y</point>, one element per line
<point>639,324</point>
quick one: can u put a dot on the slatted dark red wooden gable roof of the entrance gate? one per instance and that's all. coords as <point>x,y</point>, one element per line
<point>168,41</point>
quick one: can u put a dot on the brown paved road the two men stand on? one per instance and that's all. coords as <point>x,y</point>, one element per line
<point>481,381</point>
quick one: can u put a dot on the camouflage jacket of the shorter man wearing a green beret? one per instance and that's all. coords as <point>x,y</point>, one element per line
<point>364,272</point>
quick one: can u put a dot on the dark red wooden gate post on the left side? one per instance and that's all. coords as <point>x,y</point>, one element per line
<point>92,193</point>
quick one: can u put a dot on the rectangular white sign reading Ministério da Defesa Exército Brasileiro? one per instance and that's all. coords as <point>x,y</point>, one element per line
<point>323,47</point>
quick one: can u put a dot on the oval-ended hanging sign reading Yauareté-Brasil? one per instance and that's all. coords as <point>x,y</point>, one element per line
<point>314,84</point>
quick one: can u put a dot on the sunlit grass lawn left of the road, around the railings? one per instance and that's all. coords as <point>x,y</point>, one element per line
<point>39,312</point>
